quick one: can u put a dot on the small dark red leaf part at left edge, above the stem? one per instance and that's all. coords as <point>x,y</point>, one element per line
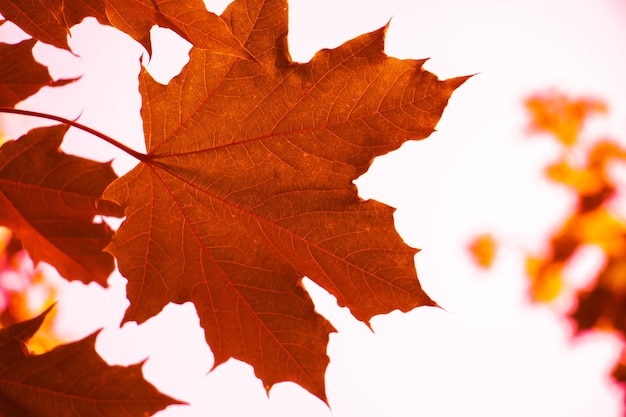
<point>20,75</point>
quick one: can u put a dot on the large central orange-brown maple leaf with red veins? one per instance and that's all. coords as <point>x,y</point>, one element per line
<point>248,187</point>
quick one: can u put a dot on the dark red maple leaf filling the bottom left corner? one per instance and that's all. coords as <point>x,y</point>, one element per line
<point>70,380</point>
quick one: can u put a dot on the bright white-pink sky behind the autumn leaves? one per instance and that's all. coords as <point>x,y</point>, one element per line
<point>490,353</point>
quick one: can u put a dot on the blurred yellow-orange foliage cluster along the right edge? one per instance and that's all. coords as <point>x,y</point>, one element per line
<point>593,221</point>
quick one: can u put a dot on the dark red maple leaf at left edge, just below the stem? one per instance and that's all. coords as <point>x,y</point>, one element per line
<point>48,199</point>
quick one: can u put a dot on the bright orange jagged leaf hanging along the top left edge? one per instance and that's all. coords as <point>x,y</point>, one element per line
<point>50,21</point>
